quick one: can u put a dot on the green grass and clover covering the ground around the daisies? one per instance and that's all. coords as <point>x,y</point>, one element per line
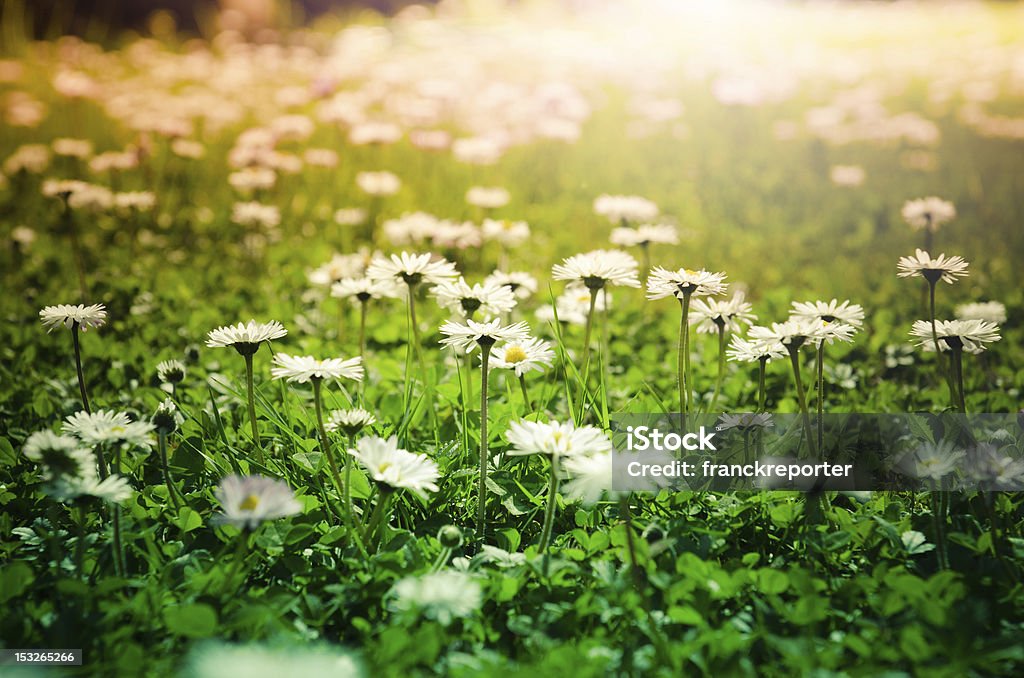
<point>729,583</point>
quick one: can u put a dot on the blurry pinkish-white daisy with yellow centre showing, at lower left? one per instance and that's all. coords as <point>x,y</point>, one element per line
<point>248,501</point>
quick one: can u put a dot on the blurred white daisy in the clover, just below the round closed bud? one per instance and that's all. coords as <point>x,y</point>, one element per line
<point>443,597</point>
